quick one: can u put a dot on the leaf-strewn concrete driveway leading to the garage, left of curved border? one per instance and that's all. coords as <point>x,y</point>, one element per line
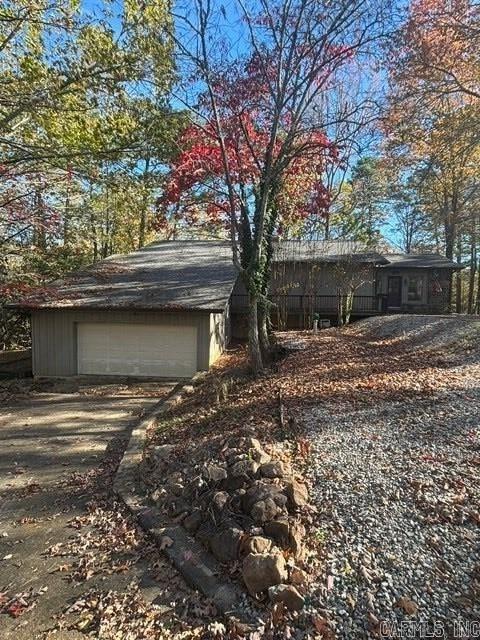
<point>73,563</point>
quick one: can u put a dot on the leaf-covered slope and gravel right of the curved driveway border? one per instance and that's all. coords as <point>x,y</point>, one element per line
<point>385,420</point>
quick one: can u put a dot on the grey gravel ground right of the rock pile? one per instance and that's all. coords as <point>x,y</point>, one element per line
<point>396,482</point>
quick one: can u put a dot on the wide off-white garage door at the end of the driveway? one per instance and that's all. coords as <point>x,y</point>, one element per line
<point>137,349</point>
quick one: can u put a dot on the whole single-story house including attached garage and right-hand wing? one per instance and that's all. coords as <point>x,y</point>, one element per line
<point>169,309</point>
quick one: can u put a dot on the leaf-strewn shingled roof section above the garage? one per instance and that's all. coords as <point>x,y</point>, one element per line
<point>172,275</point>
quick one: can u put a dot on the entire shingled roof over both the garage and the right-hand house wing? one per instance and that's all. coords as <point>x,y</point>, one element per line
<point>193,274</point>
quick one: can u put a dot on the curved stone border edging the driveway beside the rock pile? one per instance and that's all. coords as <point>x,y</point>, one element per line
<point>199,569</point>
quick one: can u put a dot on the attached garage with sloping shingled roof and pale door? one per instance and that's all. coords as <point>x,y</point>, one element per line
<point>160,312</point>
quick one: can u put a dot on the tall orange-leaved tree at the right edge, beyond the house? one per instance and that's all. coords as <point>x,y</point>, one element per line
<point>434,115</point>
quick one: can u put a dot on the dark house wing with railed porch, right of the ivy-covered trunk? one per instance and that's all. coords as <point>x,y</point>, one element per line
<point>307,277</point>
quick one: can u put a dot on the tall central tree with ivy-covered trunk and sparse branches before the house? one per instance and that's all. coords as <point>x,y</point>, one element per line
<point>255,104</point>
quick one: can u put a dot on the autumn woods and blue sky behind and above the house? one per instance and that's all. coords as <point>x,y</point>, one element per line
<point>113,117</point>
